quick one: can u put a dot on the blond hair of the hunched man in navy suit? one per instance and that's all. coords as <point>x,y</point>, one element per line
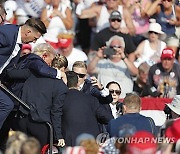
<point>43,48</point>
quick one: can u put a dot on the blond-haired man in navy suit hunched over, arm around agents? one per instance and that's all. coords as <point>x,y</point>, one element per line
<point>39,61</point>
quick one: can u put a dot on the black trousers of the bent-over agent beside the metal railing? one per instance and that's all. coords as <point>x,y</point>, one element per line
<point>38,130</point>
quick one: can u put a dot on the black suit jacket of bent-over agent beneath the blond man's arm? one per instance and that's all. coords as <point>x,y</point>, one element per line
<point>45,97</point>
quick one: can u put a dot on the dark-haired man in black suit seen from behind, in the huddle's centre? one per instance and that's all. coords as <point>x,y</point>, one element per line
<point>81,112</point>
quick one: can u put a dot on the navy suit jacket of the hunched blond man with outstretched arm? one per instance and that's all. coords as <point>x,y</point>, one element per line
<point>33,62</point>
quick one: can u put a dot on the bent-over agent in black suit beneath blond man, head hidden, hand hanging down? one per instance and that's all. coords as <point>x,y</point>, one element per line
<point>45,96</point>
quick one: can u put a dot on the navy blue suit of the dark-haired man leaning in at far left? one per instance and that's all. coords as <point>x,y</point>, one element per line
<point>8,39</point>
